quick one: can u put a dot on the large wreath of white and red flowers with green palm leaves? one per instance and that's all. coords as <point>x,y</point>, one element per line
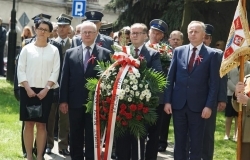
<point>138,95</point>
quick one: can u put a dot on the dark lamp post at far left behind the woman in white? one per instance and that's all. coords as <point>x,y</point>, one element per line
<point>12,46</point>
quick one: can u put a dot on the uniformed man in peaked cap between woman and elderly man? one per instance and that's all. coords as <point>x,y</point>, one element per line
<point>63,22</point>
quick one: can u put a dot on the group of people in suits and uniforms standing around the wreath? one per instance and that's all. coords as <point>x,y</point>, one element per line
<point>53,73</point>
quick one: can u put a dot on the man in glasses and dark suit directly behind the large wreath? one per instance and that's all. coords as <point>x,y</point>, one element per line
<point>126,146</point>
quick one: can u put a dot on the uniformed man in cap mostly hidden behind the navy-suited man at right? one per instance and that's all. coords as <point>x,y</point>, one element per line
<point>208,138</point>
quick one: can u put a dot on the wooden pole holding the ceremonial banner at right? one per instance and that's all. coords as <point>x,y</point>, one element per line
<point>239,138</point>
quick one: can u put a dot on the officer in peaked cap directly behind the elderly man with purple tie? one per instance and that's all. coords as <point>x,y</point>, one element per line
<point>101,39</point>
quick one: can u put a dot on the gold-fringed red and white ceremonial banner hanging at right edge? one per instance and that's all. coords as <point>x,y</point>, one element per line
<point>238,42</point>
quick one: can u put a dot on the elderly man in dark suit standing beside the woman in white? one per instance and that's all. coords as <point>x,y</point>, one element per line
<point>79,64</point>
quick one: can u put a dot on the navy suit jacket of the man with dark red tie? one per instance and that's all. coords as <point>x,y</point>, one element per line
<point>199,88</point>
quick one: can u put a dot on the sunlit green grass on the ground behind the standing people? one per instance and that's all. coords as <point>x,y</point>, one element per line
<point>10,129</point>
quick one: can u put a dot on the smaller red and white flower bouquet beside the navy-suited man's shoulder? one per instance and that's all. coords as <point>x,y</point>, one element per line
<point>165,51</point>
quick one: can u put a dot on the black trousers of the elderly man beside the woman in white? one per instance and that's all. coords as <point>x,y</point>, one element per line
<point>81,132</point>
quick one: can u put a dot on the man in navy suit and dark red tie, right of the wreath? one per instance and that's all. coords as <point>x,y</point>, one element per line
<point>192,91</point>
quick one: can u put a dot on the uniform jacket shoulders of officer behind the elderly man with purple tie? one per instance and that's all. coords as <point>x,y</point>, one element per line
<point>101,40</point>
